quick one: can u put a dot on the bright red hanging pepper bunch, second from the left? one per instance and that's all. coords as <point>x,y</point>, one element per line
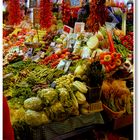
<point>46,15</point>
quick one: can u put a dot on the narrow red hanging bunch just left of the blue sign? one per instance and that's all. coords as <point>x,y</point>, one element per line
<point>66,12</point>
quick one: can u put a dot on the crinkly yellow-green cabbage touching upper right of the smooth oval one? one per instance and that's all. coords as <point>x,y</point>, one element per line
<point>49,96</point>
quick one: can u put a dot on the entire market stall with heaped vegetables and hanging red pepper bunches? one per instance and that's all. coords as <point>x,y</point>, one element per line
<point>59,78</point>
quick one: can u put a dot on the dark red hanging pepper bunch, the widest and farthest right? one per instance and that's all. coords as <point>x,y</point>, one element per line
<point>98,15</point>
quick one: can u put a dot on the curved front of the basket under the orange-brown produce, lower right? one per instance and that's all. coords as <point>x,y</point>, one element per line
<point>112,114</point>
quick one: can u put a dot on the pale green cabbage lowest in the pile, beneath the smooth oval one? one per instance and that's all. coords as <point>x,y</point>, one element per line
<point>34,118</point>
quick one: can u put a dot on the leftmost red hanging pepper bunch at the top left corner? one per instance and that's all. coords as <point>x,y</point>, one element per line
<point>15,16</point>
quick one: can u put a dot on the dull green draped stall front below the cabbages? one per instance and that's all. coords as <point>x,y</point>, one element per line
<point>70,127</point>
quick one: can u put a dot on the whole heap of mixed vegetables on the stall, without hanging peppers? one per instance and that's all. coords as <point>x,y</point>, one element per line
<point>59,75</point>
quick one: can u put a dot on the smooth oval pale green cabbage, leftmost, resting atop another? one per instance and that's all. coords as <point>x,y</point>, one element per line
<point>33,103</point>
